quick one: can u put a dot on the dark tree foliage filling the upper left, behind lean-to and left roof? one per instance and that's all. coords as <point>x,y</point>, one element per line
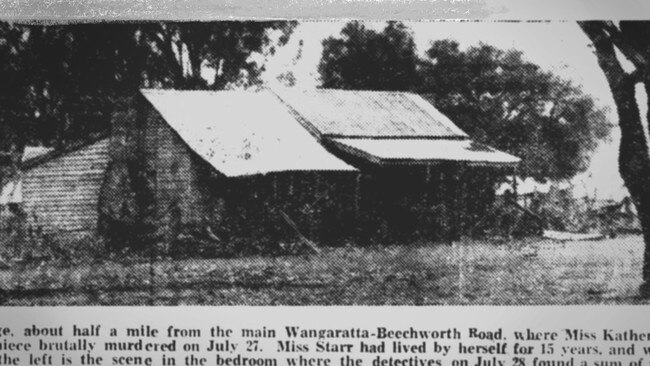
<point>65,79</point>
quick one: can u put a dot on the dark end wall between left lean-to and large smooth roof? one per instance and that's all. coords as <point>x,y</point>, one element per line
<point>155,183</point>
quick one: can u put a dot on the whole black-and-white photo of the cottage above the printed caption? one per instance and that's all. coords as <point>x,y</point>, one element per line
<point>324,162</point>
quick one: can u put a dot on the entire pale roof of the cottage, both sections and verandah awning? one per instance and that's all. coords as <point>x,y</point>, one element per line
<point>256,132</point>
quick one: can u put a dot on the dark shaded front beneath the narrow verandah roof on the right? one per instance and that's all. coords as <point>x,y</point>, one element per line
<point>439,202</point>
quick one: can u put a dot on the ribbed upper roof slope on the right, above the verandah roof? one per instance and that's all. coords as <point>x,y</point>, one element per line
<point>352,113</point>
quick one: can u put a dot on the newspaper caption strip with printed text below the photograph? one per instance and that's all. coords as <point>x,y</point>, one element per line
<point>348,336</point>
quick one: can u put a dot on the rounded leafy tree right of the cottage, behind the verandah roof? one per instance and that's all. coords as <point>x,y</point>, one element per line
<point>502,100</point>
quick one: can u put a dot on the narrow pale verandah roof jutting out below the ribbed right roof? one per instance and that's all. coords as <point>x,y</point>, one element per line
<point>425,151</point>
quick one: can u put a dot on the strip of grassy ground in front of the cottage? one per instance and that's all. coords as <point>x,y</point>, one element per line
<point>470,272</point>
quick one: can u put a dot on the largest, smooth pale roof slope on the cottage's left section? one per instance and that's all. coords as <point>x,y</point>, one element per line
<point>242,132</point>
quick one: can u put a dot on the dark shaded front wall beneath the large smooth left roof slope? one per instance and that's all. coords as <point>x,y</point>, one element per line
<point>279,207</point>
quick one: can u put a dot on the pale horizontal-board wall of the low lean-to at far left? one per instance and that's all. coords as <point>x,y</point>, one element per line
<point>62,194</point>
